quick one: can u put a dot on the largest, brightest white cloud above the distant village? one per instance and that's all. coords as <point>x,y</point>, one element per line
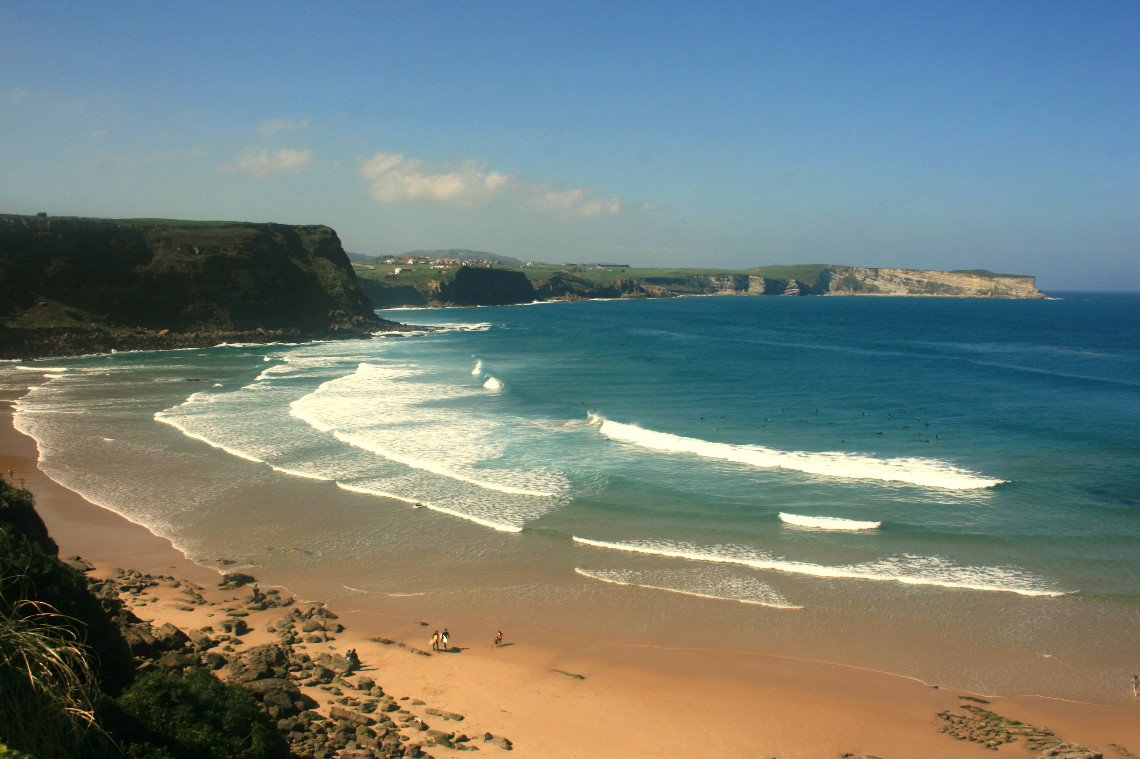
<point>396,177</point>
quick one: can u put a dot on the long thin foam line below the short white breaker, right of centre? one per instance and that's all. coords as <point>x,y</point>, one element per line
<point>939,573</point>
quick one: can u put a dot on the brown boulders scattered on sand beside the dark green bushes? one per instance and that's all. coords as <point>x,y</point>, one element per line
<point>363,722</point>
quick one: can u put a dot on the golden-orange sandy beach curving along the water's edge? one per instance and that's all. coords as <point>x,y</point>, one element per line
<point>556,696</point>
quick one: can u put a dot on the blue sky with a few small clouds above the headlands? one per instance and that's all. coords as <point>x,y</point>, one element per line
<point>967,135</point>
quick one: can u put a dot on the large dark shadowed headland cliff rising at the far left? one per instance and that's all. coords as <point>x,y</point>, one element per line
<point>75,285</point>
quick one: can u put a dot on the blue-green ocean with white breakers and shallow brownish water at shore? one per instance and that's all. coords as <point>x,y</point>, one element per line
<point>947,489</point>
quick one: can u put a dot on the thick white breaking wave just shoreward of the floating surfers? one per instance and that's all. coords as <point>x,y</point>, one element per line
<point>931,474</point>
